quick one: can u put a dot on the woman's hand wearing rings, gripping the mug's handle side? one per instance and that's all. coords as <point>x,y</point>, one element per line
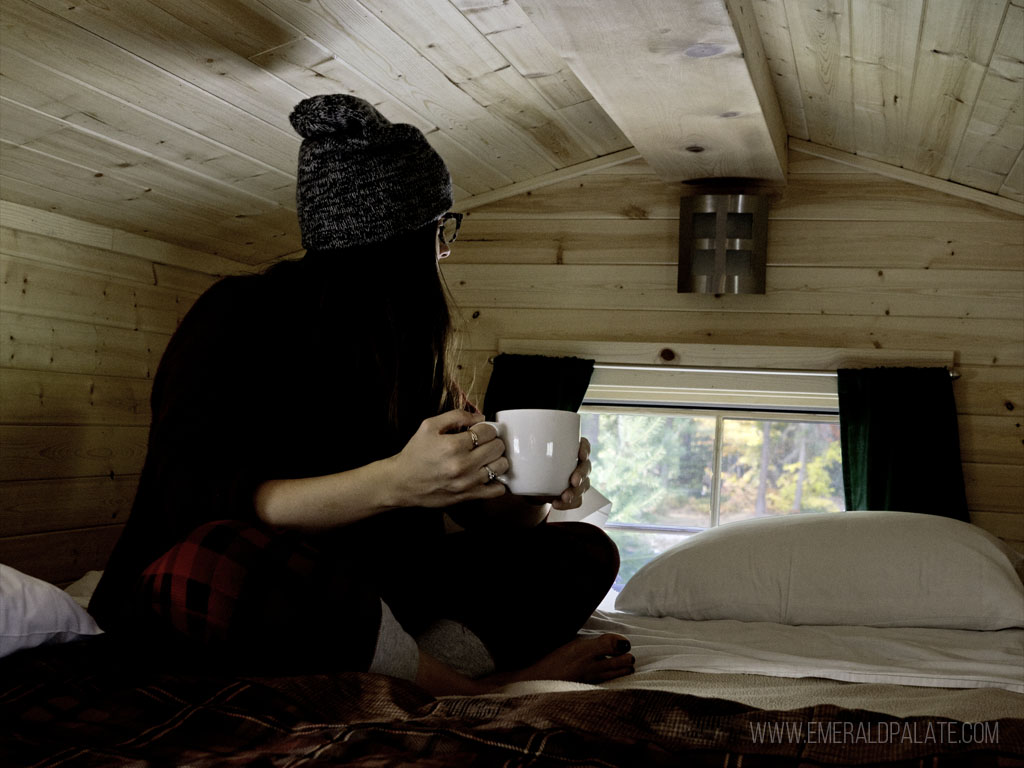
<point>452,458</point>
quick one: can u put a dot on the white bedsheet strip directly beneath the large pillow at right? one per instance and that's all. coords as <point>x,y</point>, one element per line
<point>950,659</point>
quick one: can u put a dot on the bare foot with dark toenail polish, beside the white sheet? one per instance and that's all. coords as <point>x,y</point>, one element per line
<point>582,661</point>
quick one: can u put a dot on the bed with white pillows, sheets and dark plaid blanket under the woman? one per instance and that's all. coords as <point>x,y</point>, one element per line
<point>765,644</point>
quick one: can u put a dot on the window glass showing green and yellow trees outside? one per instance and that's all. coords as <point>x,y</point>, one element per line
<point>671,474</point>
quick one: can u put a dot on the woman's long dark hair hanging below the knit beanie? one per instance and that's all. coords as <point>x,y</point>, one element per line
<point>388,306</point>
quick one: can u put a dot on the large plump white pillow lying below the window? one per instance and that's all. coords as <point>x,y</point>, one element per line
<point>868,569</point>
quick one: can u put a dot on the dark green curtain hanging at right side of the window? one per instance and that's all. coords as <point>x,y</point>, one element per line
<point>901,442</point>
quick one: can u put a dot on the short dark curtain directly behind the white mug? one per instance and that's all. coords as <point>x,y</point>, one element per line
<point>537,381</point>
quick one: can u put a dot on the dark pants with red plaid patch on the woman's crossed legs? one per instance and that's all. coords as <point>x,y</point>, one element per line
<point>249,598</point>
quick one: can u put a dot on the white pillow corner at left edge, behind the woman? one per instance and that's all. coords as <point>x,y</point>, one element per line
<point>35,613</point>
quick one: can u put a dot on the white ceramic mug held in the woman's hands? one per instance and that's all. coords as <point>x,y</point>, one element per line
<point>543,449</point>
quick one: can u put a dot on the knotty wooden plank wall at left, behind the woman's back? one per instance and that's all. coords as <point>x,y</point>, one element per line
<point>86,313</point>
